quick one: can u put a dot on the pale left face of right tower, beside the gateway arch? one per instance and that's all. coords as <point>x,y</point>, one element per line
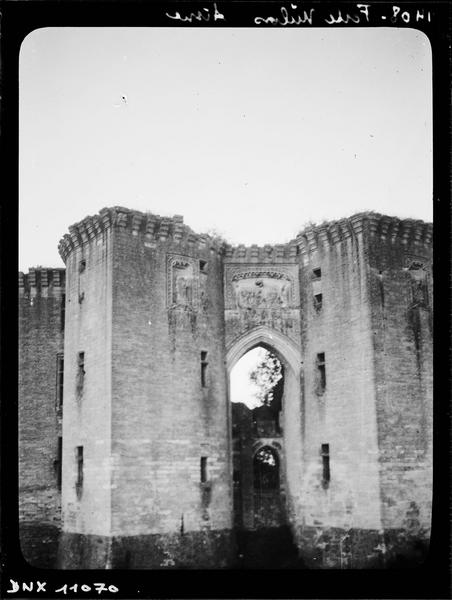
<point>339,406</point>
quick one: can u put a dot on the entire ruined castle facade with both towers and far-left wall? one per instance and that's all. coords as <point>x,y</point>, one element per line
<point>156,316</point>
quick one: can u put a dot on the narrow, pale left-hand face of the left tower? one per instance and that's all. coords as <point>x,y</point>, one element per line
<point>86,493</point>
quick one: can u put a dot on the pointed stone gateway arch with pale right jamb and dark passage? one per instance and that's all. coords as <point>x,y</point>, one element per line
<point>267,454</point>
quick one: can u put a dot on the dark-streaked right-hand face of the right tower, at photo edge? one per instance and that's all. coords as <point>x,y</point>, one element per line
<point>400,262</point>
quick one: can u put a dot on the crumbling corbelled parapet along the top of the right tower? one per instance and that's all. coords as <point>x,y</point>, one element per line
<point>408,232</point>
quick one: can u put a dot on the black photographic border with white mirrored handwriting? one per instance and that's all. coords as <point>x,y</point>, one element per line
<point>432,579</point>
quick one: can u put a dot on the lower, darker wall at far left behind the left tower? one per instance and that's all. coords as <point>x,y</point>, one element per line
<point>41,335</point>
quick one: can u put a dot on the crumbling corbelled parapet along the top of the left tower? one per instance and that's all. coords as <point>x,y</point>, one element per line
<point>150,227</point>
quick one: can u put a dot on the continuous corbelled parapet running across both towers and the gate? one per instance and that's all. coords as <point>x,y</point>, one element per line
<point>154,229</point>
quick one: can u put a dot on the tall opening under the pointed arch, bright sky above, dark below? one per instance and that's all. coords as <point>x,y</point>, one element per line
<point>263,534</point>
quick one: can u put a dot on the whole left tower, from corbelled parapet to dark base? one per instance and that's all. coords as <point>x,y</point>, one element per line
<point>146,457</point>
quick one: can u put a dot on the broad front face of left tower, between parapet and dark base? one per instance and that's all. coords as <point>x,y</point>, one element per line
<point>164,421</point>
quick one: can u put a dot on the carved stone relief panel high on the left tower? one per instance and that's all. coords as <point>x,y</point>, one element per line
<point>182,281</point>
